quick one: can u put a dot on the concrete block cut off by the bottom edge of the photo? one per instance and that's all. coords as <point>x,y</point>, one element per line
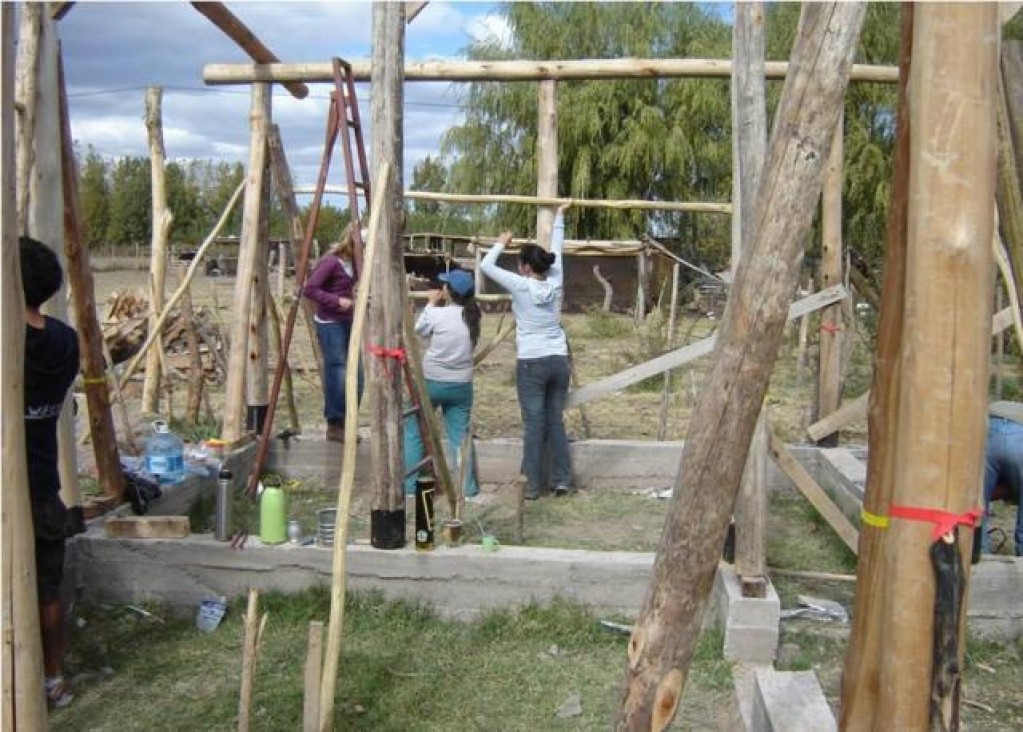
<point>790,702</point>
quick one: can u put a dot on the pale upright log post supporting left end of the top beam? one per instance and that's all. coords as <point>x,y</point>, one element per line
<point>238,362</point>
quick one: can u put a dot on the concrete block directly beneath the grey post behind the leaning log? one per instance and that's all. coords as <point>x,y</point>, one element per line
<point>750,624</point>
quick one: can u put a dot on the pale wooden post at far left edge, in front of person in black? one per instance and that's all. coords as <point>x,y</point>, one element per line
<point>24,705</point>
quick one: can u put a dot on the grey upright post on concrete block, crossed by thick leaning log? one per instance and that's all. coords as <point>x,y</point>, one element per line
<point>749,146</point>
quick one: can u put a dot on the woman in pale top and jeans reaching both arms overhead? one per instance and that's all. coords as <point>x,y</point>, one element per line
<point>543,371</point>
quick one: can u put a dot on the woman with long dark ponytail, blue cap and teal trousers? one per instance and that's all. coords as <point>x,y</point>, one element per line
<point>452,323</point>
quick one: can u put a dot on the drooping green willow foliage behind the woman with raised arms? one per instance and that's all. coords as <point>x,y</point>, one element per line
<point>661,140</point>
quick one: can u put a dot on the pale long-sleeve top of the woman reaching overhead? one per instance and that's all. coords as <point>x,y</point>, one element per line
<point>537,304</point>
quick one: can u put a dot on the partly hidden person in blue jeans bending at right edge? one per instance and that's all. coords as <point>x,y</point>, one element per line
<point>1004,465</point>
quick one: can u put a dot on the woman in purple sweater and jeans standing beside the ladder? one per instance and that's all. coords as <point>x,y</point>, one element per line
<point>332,287</point>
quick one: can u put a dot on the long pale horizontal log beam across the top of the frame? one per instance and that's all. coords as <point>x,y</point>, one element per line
<point>521,71</point>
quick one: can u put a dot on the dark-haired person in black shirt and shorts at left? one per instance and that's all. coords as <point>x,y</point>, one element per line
<point>51,367</point>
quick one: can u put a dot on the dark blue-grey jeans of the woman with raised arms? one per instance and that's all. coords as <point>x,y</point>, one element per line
<point>544,387</point>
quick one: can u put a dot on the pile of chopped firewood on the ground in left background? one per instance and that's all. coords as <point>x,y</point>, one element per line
<point>125,324</point>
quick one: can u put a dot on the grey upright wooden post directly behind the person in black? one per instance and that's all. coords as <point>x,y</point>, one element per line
<point>46,211</point>
